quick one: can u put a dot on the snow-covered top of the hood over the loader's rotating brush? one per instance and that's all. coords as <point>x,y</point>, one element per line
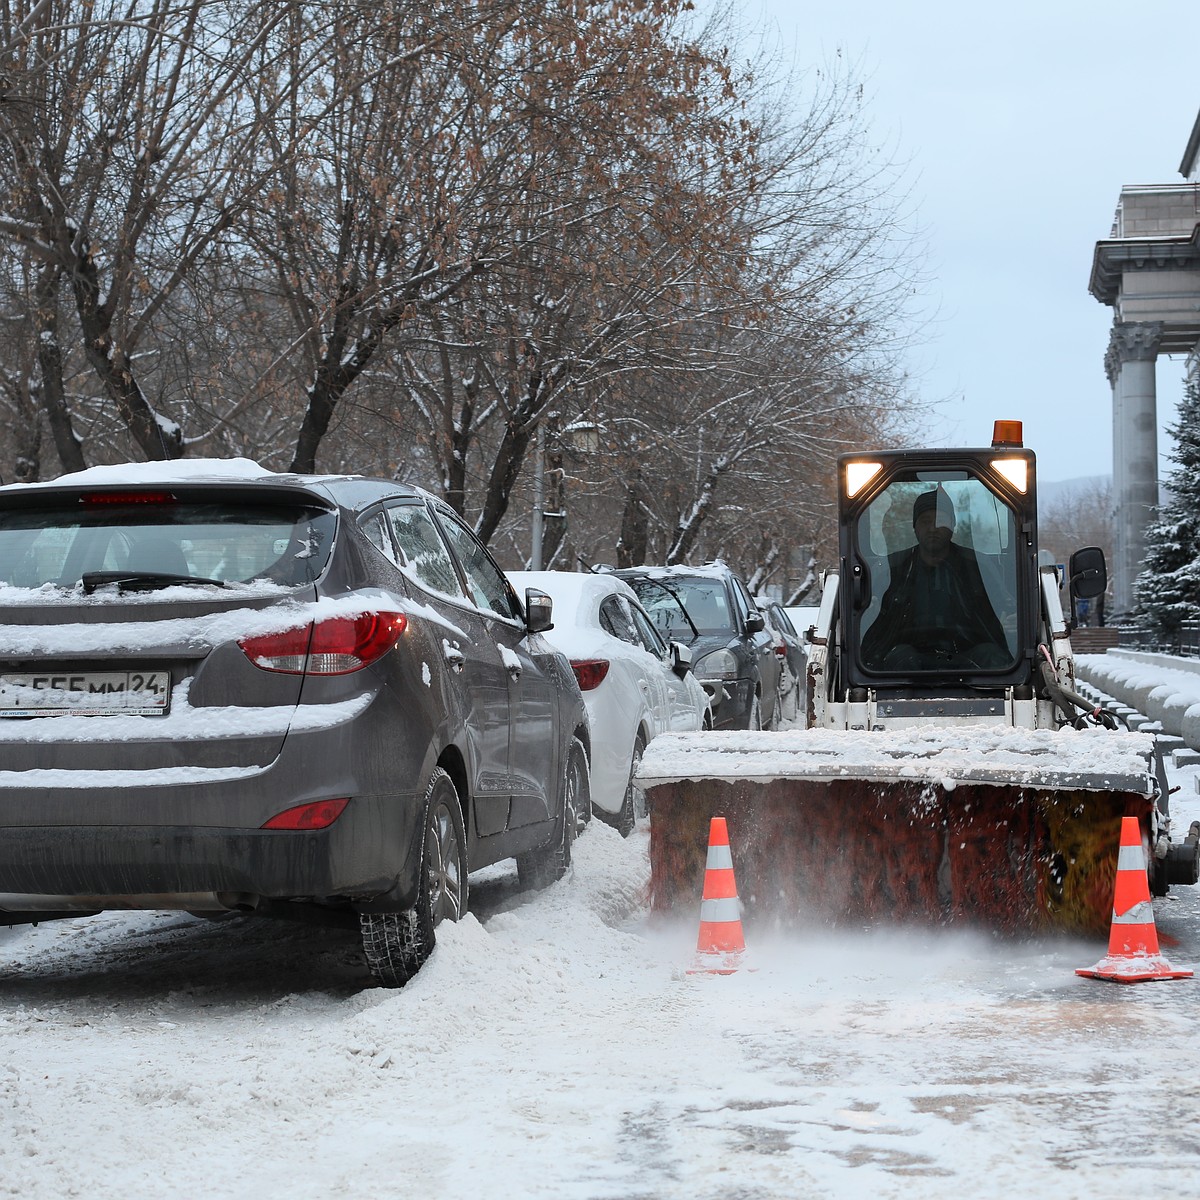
<point>1089,759</point>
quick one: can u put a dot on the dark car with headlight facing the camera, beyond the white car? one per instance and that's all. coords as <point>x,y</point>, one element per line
<point>710,609</point>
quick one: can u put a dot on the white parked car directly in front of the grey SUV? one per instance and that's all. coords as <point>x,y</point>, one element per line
<point>635,685</point>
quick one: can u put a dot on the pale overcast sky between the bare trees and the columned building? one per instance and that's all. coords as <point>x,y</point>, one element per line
<point>1022,123</point>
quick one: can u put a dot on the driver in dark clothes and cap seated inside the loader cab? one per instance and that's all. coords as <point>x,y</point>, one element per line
<point>937,613</point>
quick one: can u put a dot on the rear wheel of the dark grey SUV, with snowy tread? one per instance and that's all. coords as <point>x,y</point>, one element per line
<point>397,945</point>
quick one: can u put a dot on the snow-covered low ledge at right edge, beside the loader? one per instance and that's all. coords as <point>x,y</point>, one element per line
<point>1165,688</point>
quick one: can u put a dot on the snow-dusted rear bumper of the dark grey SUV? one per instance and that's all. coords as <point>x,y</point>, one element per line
<point>176,837</point>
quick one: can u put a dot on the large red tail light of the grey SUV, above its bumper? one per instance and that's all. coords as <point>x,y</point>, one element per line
<point>337,646</point>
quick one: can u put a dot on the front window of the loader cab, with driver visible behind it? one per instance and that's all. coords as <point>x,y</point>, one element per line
<point>940,557</point>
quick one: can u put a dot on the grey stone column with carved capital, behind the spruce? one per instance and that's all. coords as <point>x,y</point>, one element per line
<point>1130,364</point>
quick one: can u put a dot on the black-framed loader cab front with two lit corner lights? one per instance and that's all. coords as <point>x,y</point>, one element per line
<point>939,568</point>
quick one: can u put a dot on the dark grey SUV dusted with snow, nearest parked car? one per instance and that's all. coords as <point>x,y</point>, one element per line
<point>229,691</point>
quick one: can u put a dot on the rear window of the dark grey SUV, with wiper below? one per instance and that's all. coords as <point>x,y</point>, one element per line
<point>231,543</point>
